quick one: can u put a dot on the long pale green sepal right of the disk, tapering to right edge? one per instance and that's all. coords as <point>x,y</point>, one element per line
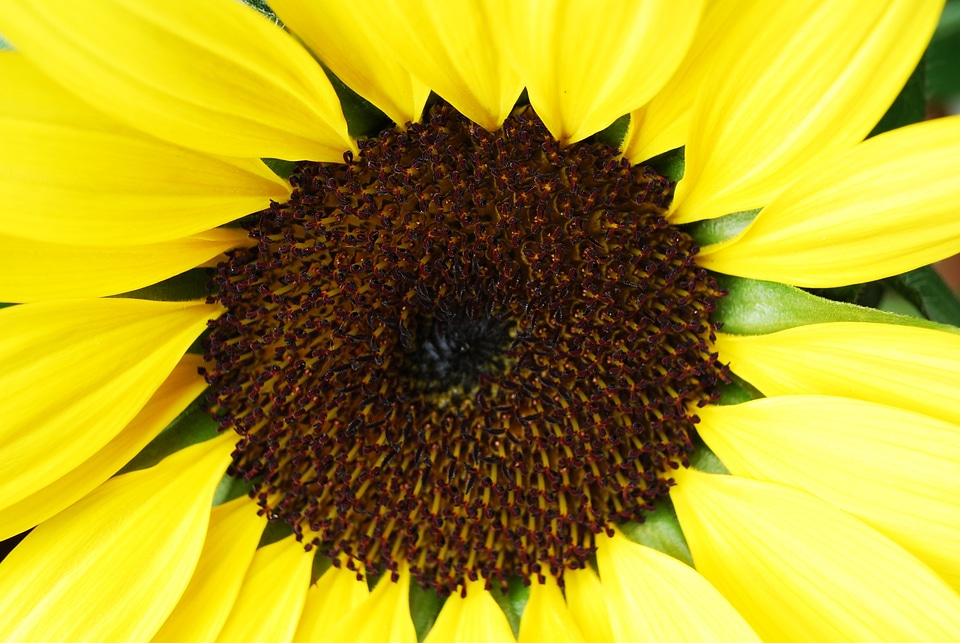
<point>758,307</point>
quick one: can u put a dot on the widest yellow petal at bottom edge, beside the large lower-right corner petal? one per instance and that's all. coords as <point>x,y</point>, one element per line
<point>653,597</point>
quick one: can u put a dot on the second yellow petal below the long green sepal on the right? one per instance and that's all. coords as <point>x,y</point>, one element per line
<point>897,470</point>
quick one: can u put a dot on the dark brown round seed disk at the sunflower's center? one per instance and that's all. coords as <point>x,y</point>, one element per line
<point>463,350</point>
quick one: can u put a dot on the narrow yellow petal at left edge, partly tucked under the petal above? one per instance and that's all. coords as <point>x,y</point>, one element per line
<point>37,270</point>
